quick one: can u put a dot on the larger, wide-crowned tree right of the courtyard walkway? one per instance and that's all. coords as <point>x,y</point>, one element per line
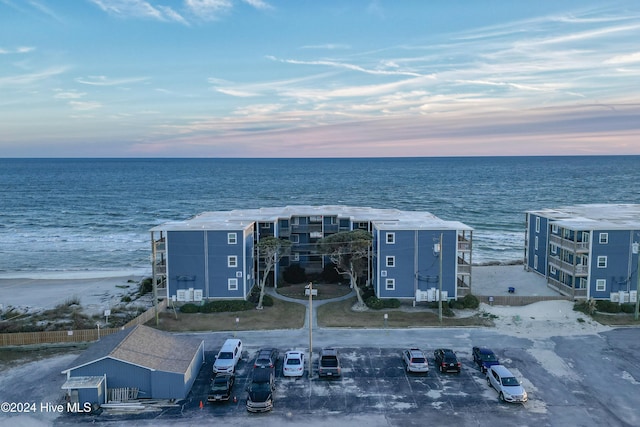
<point>349,251</point>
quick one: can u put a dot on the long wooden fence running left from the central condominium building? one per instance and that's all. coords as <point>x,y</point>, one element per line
<point>79,335</point>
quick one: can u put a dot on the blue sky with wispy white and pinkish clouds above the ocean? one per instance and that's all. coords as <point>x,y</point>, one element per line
<point>309,78</point>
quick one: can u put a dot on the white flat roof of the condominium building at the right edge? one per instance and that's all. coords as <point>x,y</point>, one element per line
<point>594,216</point>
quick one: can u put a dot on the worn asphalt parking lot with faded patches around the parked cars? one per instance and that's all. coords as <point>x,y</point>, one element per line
<point>584,380</point>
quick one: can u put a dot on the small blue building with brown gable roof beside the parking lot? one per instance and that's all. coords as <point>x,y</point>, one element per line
<point>135,363</point>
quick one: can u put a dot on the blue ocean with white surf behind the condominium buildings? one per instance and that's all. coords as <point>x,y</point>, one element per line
<point>92,216</point>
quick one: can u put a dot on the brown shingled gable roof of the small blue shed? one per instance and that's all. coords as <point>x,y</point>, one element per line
<point>143,346</point>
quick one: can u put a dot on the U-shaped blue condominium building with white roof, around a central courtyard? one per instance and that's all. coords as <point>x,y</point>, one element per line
<point>214,254</point>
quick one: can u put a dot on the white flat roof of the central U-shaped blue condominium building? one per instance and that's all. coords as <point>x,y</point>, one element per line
<point>387,218</point>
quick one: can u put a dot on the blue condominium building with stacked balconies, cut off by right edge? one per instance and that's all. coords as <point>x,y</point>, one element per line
<point>586,251</point>
